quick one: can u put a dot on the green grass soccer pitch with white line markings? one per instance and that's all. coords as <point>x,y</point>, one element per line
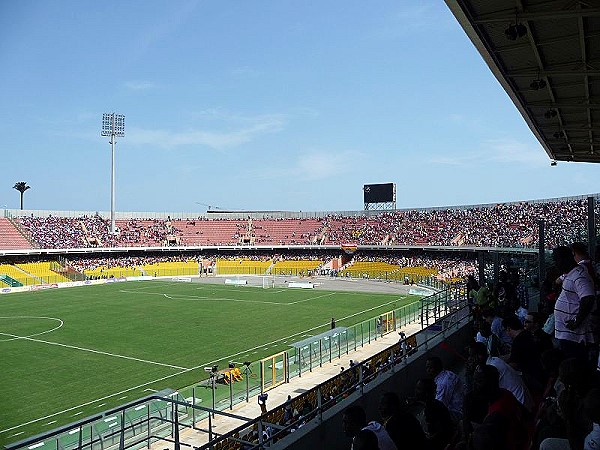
<point>70,353</point>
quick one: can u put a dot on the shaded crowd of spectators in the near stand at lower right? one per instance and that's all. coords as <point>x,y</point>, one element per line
<point>530,378</point>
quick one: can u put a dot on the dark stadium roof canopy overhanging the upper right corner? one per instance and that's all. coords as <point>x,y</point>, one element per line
<point>546,55</point>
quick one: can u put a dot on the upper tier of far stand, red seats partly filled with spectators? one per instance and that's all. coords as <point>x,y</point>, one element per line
<point>506,225</point>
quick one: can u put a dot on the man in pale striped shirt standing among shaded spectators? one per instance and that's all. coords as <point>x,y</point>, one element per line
<point>573,328</point>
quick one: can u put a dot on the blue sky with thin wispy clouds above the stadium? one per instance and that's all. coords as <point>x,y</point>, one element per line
<point>259,105</point>
